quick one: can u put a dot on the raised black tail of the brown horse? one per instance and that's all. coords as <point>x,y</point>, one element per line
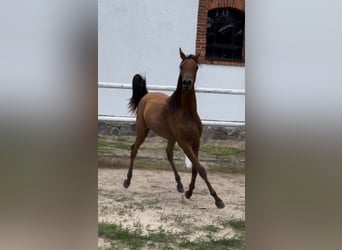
<point>139,90</point>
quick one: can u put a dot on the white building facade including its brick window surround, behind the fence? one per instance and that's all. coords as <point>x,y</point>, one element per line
<point>145,36</point>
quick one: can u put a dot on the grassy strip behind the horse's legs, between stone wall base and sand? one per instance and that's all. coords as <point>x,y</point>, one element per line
<point>114,153</point>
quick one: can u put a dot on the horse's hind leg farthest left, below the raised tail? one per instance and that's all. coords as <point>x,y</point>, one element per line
<point>140,138</point>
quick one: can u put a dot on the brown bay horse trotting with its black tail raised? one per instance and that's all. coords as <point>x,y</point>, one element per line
<point>174,118</point>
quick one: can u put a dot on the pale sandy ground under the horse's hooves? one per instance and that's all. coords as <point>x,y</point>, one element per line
<point>152,201</point>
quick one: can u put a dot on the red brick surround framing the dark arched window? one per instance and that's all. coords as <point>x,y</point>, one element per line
<point>203,8</point>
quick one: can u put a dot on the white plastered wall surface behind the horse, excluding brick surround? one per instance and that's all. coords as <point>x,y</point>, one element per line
<point>144,37</point>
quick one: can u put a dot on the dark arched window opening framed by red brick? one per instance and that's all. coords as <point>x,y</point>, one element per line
<point>225,34</point>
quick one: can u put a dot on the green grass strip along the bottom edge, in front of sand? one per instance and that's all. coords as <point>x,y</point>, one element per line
<point>161,239</point>
